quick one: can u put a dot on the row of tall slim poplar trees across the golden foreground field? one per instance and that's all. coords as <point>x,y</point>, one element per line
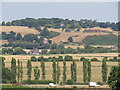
<point>16,71</point>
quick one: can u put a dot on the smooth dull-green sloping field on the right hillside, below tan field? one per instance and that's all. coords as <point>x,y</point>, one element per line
<point>101,40</point>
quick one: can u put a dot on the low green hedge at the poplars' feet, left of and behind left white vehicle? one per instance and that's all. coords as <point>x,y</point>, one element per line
<point>36,81</point>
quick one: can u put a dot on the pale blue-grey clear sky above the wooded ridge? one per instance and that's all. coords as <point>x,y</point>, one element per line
<point>100,11</point>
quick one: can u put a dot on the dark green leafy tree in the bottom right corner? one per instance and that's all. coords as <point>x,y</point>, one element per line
<point>114,78</point>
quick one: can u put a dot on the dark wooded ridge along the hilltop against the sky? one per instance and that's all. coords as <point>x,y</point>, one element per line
<point>60,23</point>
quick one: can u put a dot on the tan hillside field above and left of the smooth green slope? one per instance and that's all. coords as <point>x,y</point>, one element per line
<point>77,36</point>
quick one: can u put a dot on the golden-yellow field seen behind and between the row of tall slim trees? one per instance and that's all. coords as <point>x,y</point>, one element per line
<point>96,66</point>
